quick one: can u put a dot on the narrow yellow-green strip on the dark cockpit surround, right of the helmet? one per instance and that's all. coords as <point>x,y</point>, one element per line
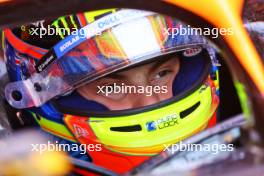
<point>243,100</point>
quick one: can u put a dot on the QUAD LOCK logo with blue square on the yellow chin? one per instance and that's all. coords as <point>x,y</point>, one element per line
<point>165,122</point>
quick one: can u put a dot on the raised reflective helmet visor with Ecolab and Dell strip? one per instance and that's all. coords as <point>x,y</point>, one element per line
<point>91,54</point>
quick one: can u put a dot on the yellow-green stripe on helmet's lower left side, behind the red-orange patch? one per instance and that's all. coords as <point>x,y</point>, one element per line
<point>54,128</point>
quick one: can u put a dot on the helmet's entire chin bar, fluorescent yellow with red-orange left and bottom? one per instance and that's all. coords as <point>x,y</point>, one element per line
<point>112,133</point>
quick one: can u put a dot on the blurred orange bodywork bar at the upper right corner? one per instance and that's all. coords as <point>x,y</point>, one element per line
<point>227,14</point>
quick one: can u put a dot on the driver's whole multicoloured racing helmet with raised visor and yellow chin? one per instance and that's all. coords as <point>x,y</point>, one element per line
<point>48,60</point>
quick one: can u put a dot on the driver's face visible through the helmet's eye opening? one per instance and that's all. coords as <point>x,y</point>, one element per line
<point>156,74</point>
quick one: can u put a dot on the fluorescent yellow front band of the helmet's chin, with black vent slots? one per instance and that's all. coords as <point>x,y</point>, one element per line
<point>151,142</point>
